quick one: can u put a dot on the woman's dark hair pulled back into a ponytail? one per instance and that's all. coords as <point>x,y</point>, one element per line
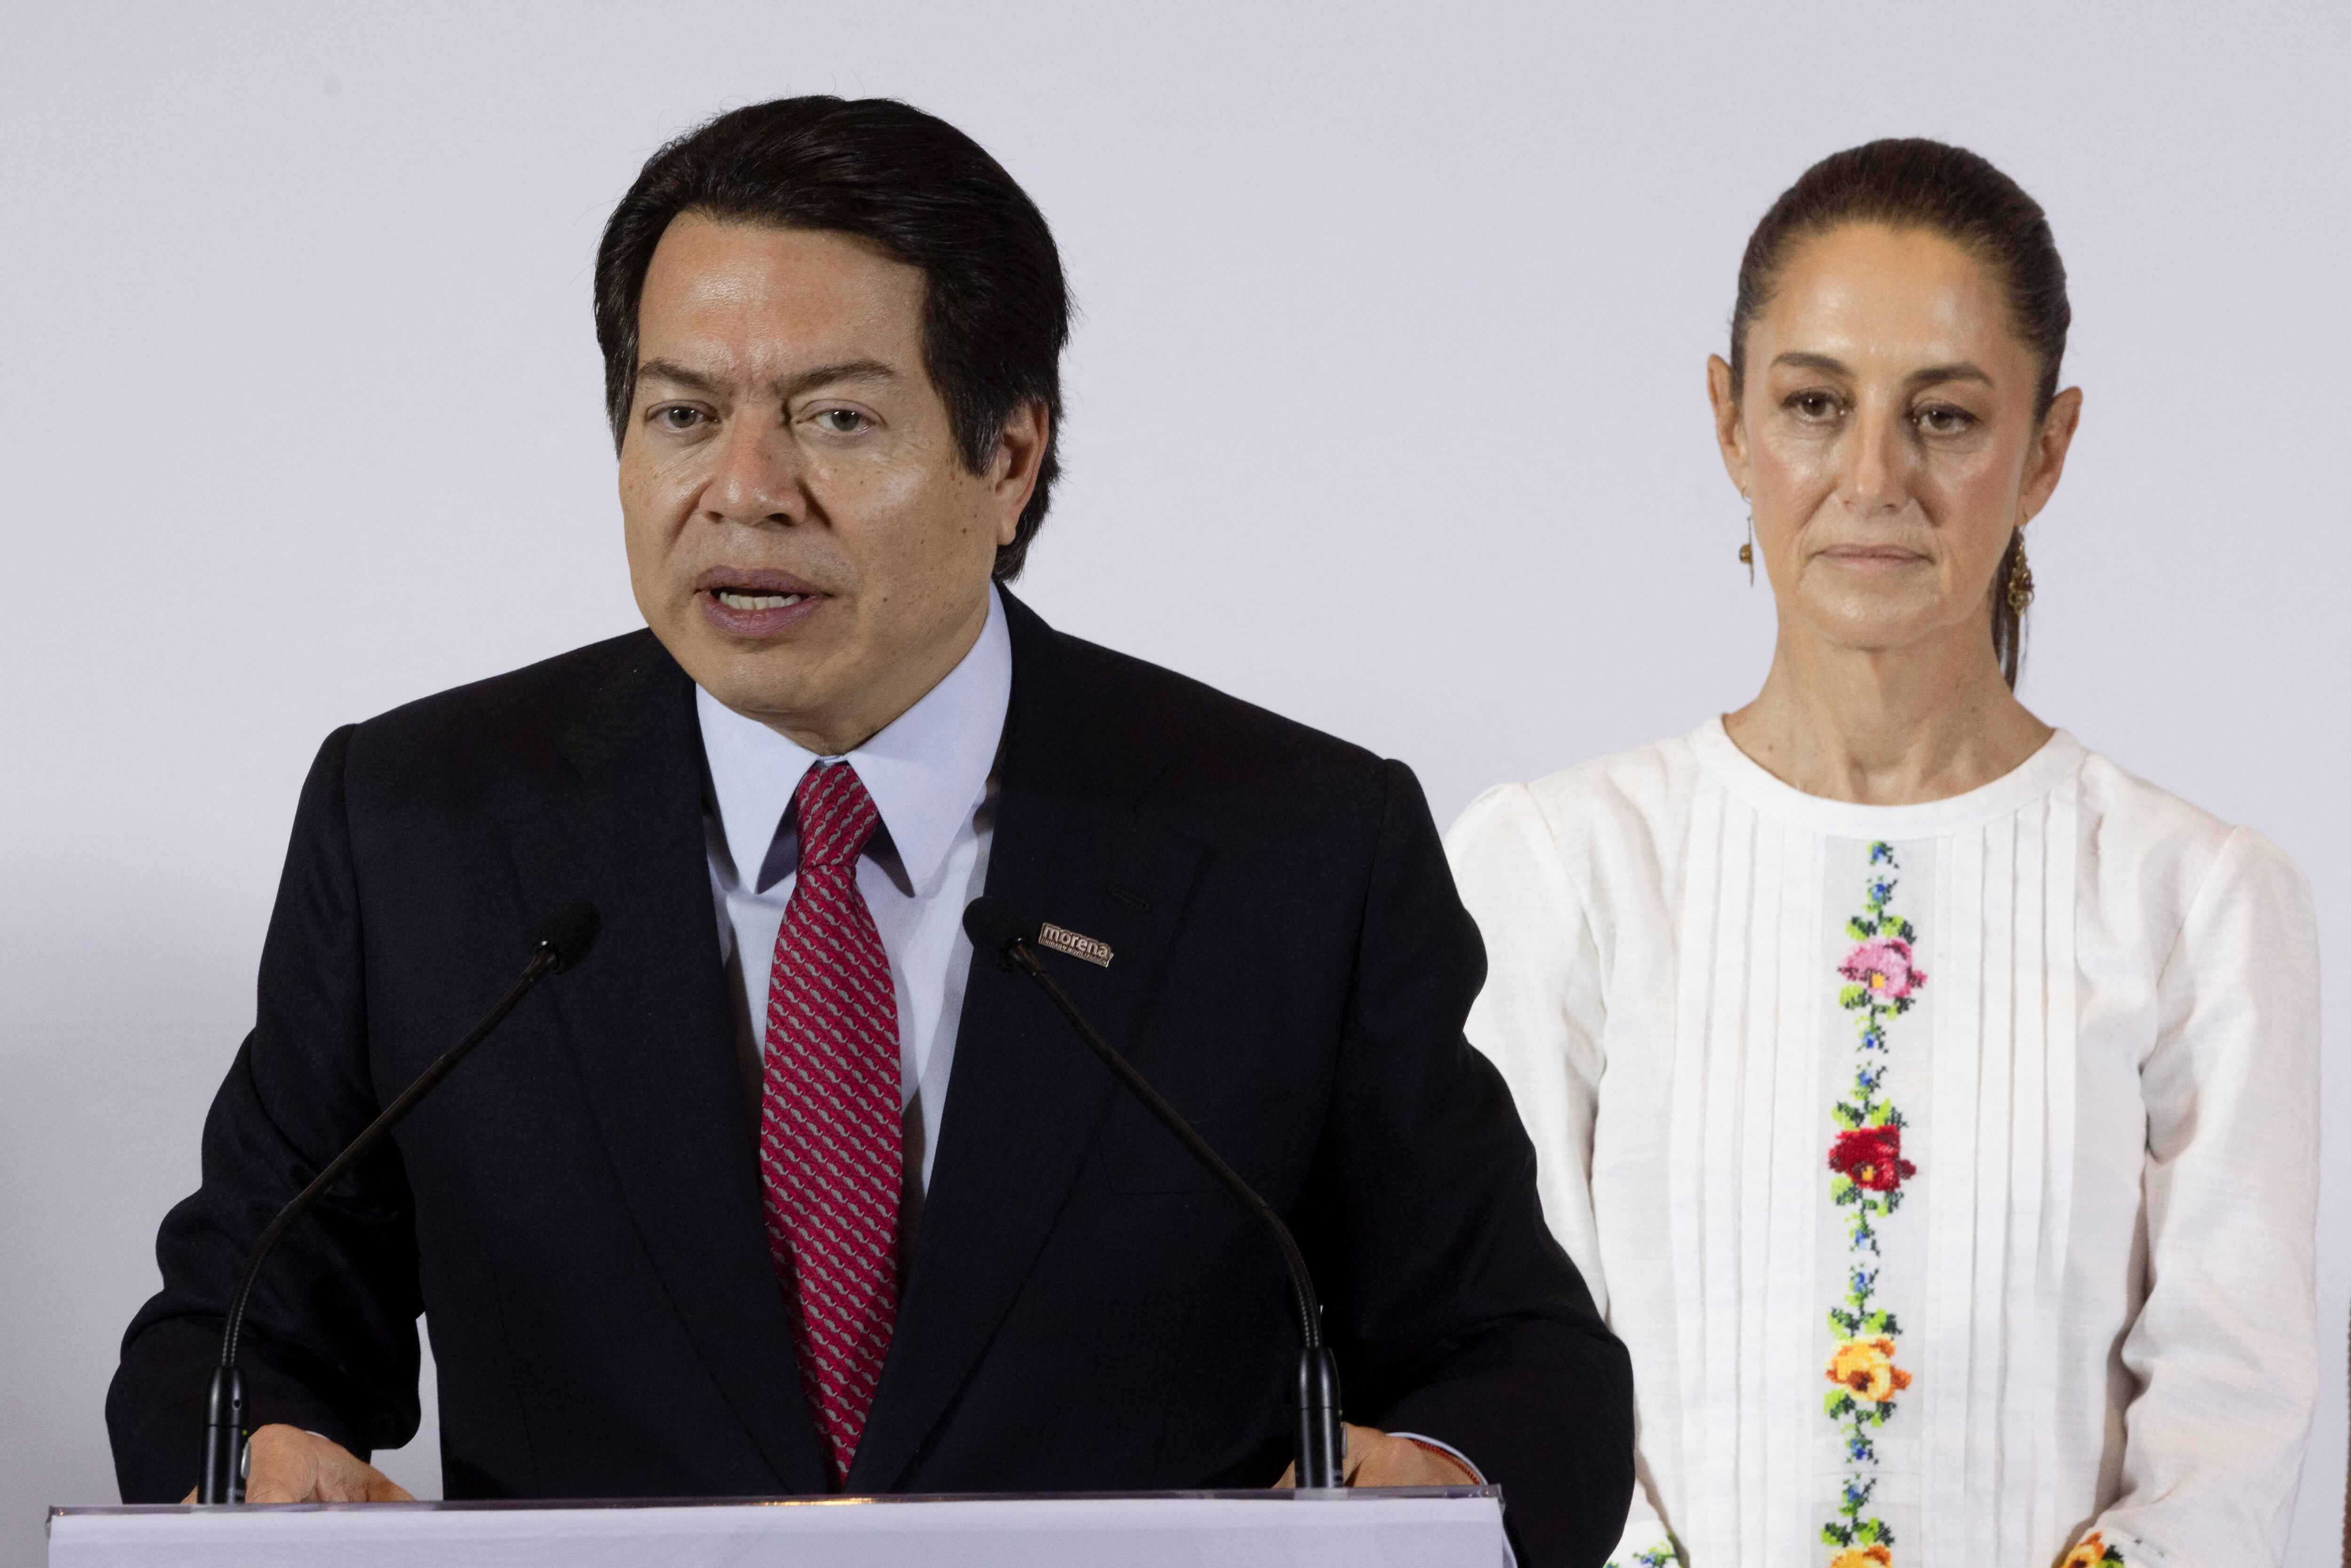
<point>1913,182</point>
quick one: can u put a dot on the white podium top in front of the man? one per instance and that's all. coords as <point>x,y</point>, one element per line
<point>1454,1527</point>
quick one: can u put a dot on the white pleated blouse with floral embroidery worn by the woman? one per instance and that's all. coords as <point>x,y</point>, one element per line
<point>1948,1170</point>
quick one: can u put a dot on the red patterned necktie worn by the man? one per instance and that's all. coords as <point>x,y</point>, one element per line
<point>829,1118</point>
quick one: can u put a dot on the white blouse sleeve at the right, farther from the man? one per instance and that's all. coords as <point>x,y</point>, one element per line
<point>2225,1348</point>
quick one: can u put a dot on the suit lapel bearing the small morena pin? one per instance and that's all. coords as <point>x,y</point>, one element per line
<point>1026,1099</point>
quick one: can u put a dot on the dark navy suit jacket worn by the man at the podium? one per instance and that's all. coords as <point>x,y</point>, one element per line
<point>580,1205</point>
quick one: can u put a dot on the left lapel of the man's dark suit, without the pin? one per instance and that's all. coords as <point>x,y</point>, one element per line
<point>652,1036</point>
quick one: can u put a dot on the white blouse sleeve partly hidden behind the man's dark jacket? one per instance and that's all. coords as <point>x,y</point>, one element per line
<point>1539,1021</point>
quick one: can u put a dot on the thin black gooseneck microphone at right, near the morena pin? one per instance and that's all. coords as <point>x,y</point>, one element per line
<point>1320,1433</point>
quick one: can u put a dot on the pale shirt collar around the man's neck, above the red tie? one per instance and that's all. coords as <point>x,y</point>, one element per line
<point>927,770</point>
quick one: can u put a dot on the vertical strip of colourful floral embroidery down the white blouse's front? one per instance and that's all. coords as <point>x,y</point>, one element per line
<point>1866,1177</point>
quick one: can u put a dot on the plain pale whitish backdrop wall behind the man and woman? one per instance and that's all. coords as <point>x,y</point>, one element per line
<point>1386,410</point>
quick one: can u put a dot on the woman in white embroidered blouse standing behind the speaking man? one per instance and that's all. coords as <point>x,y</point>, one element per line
<point>1929,1101</point>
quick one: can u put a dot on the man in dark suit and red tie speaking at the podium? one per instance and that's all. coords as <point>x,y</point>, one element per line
<point>784,1193</point>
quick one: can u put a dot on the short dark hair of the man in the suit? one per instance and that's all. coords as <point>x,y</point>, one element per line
<point>996,309</point>
